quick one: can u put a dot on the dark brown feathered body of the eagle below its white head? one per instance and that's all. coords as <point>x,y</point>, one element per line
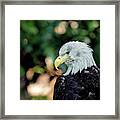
<point>81,86</point>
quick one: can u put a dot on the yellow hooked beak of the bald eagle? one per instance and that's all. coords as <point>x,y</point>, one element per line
<point>60,60</point>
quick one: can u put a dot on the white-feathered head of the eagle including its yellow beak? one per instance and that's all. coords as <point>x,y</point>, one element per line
<point>76,55</point>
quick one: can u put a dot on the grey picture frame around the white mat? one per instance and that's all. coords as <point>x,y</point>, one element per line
<point>54,2</point>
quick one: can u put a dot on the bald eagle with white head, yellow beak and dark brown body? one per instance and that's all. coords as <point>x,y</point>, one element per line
<point>81,81</point>
